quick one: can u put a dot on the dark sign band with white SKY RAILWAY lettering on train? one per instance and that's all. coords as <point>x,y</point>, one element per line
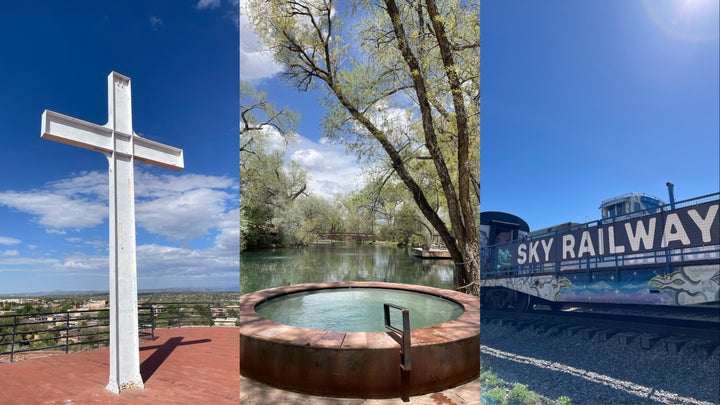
<point>692,226</point>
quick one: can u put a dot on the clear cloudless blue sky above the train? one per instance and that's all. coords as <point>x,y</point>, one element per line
<point>586,100</point>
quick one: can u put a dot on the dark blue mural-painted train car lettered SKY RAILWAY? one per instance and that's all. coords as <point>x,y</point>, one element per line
<point>642,251</point>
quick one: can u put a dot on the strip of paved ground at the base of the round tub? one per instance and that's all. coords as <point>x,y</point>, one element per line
<point>255,393</point>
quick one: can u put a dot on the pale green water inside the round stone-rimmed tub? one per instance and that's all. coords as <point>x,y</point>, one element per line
<point>357,309</point>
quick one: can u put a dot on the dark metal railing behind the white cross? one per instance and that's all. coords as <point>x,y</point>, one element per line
<point>86,329</point>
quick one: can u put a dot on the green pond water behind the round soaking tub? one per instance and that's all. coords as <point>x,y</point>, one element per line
<point>340,263</point>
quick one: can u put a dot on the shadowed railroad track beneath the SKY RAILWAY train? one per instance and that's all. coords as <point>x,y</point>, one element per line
<point>699,330</point>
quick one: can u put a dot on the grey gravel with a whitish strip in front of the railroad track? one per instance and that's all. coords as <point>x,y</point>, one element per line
<point>600,372</point>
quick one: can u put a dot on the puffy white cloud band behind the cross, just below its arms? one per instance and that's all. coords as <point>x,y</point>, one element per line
<point>175,206</point>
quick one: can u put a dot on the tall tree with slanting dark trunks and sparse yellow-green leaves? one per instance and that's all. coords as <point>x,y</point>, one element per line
<point>402,85</point>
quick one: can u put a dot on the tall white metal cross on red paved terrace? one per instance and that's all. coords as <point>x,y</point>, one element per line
<point>123,147</point>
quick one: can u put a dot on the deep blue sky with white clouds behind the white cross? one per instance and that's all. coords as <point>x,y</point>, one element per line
<point>182,58</point>
